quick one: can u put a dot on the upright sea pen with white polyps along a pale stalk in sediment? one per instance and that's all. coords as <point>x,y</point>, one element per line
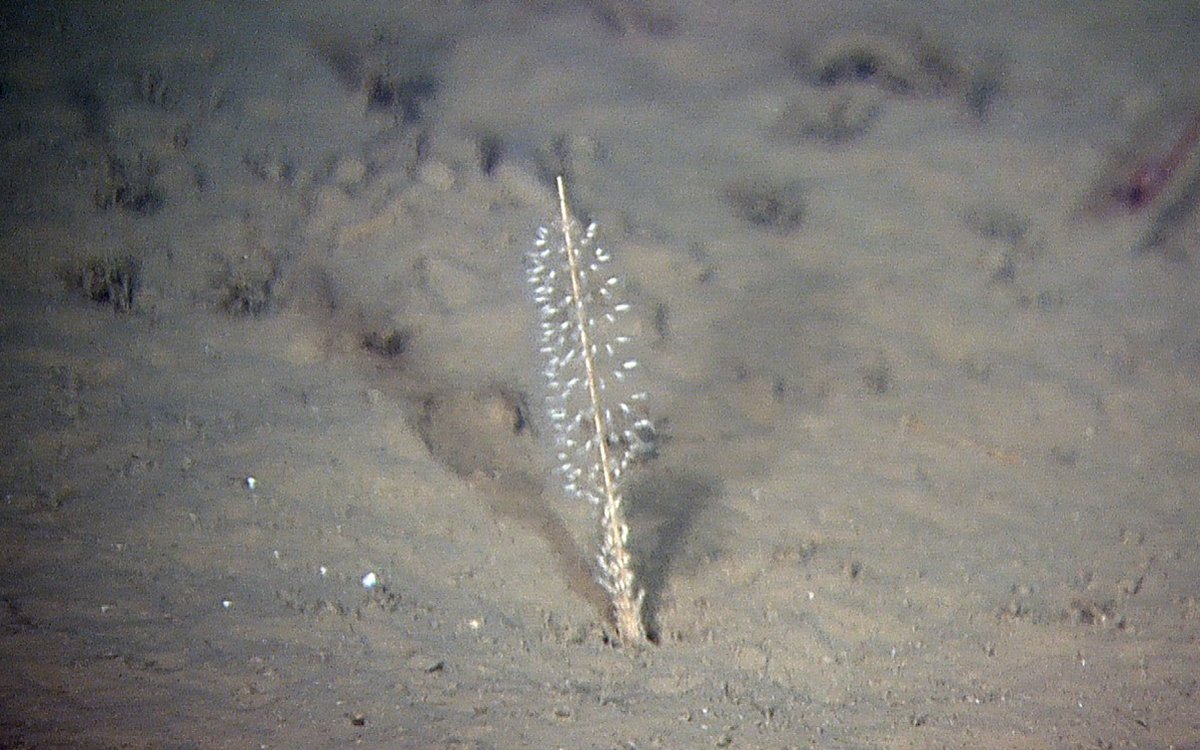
<point>596,435</point>
